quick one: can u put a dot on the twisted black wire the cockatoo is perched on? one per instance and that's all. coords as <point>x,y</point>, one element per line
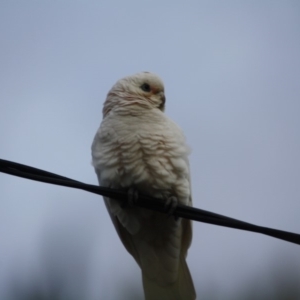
<point>182,211</point>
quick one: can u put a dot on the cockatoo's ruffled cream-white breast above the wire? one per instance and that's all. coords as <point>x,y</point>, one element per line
<point>148,156</point>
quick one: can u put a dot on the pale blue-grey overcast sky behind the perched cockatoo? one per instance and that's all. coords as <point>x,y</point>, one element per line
<point>231,71</point>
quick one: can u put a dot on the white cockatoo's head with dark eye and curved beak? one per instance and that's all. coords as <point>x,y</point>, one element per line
<point>140,91</point>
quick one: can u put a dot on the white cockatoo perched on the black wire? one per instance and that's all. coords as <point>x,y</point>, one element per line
<point>138,148</point>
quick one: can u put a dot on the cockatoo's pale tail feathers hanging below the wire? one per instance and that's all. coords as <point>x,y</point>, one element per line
<point>181,289</point>
